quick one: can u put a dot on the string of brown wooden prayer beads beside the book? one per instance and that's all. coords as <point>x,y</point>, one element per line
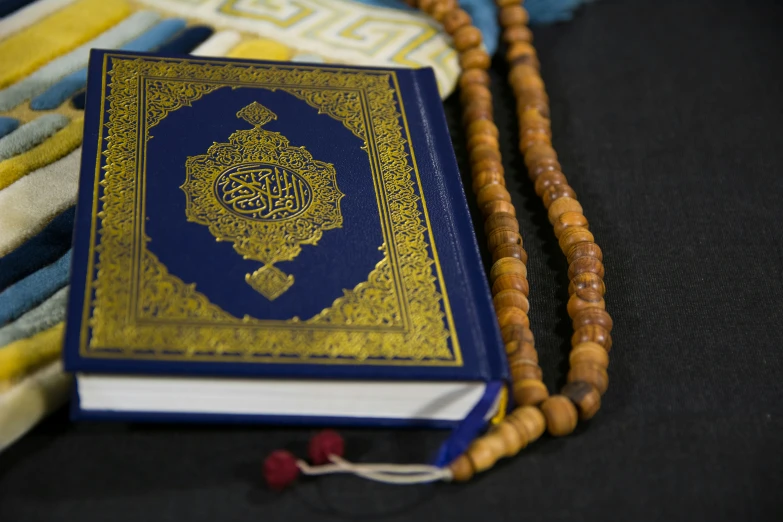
<point>537,411</point>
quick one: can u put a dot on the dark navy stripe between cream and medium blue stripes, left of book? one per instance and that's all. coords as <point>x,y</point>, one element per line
<point>41,250</point>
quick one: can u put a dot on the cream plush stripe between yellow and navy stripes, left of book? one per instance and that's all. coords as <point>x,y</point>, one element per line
<point>31,202</point>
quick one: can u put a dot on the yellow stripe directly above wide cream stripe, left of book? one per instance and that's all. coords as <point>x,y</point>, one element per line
<point>63,142</point>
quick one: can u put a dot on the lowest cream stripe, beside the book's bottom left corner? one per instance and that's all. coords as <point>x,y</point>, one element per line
<point>25,404</point>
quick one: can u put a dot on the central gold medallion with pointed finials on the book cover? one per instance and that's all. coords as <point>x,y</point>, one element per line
<point>264,195</point>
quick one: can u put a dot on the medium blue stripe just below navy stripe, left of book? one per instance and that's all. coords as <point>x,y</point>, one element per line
<point>34,289</point>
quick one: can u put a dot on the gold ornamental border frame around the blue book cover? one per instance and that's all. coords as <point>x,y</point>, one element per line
<point>137,309</point>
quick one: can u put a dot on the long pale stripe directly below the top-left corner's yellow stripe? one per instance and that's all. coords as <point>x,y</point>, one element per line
<point>55,70</point>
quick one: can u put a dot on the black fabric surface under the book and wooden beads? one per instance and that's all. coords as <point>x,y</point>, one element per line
<point>666,115</point>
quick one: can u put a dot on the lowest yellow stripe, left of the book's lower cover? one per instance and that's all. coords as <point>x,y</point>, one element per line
<point>22,357</point>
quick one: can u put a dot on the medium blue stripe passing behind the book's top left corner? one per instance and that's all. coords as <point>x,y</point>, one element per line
<point>157,35</point>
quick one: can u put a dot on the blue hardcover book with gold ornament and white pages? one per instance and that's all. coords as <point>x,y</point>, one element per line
<point>271,241</point>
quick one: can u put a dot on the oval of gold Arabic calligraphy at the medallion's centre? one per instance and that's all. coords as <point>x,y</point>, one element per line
<point>263,192</point>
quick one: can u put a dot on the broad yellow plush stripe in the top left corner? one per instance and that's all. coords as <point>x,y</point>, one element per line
<point>57,34</point>
